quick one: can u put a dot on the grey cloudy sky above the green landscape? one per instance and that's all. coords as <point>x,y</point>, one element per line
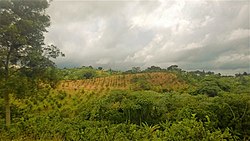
<point>210,35</point>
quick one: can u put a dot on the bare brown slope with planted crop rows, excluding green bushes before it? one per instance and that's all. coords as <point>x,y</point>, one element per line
<point>159,79</point>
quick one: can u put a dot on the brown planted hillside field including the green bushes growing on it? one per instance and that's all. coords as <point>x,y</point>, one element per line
<point>159,81</point>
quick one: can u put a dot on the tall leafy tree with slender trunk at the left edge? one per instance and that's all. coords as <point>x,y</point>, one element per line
<point>22,47</point>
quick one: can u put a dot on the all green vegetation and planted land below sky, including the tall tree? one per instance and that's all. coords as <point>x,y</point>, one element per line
<point>41,102</point>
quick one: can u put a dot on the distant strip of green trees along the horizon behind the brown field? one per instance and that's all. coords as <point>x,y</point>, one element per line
<point>88,72</point>
